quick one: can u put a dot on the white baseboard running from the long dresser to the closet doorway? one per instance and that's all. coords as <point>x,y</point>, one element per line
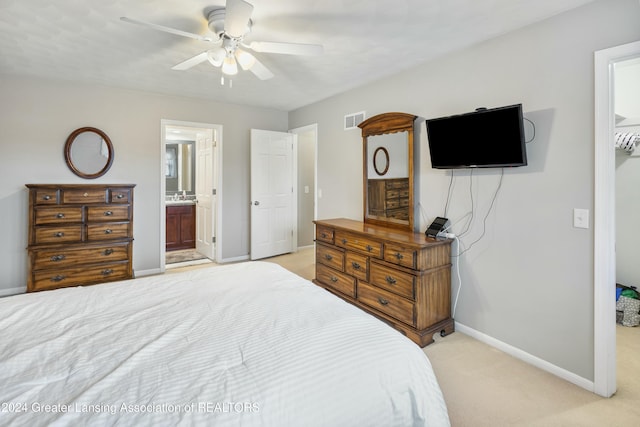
<point>526,357</point>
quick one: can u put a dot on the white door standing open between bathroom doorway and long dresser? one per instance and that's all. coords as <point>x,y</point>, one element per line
<point>272,186</point>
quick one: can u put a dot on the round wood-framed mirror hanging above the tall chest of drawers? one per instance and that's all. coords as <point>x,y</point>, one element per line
<point>88,152</point>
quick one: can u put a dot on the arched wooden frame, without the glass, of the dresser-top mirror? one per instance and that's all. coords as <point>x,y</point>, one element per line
<point>379,125</point>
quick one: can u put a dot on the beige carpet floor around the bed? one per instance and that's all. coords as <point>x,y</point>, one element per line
<point>486,387</point>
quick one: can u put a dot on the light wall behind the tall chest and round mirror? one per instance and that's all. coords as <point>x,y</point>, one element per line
<point>38,115</point>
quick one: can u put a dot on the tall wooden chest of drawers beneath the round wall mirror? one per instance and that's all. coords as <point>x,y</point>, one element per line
<point>79,234</point>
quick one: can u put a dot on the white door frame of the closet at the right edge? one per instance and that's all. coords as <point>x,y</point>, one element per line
<point>604,271</point>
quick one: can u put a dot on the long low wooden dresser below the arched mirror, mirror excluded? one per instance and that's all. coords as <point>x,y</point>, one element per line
<point>404,278</point>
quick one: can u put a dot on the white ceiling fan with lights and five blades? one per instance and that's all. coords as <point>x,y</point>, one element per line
<point>230,25</point>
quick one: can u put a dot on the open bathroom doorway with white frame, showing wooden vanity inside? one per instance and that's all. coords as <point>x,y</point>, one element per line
<point>191,200</point>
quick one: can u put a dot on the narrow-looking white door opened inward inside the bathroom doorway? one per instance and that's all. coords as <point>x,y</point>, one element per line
<point>205,193</point>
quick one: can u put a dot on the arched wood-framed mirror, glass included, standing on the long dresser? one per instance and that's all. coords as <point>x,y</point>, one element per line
<point>388,170</point>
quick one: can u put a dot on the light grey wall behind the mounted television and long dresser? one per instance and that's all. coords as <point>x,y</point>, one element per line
<point>528,282</point>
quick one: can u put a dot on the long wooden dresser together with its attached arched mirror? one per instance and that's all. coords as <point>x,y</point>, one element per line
<point>381,264</point>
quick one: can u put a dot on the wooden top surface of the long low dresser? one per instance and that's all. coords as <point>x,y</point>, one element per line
<point>383,233</point>
